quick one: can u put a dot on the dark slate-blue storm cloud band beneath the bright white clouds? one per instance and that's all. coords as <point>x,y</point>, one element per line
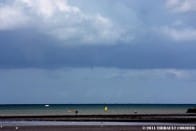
<point>25,49</point>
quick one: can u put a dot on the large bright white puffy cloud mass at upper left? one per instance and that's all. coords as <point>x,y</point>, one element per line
<point>60,20</point>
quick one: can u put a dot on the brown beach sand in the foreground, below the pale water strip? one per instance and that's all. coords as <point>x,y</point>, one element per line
<point>100,127</point>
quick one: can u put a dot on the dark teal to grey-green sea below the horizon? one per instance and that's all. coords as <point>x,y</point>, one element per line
<point>89,109</point>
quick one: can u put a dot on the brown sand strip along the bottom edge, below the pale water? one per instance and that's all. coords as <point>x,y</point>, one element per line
<point>99,128</point>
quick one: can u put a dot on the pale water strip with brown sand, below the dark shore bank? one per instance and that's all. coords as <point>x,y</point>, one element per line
<point>93,126</point>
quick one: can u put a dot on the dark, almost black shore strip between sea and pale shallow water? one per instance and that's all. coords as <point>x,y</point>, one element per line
<point>182,118</point>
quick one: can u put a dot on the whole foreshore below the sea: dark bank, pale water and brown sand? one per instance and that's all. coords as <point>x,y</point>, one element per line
<point>129,122</point>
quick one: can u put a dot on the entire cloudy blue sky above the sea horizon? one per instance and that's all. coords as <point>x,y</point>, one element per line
<point>97,51</point>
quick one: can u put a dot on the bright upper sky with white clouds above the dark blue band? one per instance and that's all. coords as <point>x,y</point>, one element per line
<point>89,22</point>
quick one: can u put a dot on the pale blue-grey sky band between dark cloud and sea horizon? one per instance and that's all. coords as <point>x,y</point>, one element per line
<point>98,85</point>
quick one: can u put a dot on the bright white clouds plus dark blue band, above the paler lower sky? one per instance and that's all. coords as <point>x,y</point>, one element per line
<point>128,34</point>
